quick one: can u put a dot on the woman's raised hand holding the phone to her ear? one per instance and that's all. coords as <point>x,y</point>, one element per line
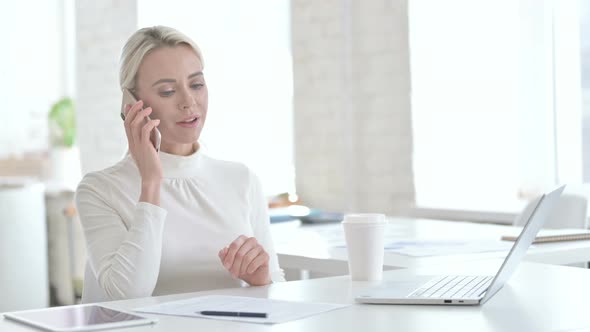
<point>141,148</point>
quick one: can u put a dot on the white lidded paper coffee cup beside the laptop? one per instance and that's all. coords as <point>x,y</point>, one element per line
<point>364,235</point>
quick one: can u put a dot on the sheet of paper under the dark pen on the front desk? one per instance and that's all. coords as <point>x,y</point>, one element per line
<point>278,311</point>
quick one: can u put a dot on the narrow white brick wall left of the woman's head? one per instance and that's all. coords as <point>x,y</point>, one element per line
<point>102,27</point>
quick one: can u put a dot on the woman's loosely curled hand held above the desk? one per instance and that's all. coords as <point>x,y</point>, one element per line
<point>246,259</point>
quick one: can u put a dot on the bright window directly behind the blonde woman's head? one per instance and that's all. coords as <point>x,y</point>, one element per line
<point>247,54</point>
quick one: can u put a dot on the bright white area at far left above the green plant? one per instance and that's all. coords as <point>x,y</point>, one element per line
<point>31,73</point>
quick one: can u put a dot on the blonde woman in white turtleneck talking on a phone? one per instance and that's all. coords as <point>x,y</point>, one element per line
<point>174,221</point>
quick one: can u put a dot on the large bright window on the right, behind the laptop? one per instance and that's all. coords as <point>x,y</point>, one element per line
<point>499,100</point>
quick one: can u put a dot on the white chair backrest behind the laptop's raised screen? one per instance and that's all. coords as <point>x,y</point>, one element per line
<point>570,212</point>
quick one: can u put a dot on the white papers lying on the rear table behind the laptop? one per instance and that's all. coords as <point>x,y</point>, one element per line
<point>423,248</point>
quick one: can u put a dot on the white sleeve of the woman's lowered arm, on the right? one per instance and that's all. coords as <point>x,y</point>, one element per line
<point>260,222</point>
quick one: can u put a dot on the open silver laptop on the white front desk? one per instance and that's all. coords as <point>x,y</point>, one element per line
<point>461,289</point>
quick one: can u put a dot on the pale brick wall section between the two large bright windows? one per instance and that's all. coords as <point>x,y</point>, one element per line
<point>353,143</point>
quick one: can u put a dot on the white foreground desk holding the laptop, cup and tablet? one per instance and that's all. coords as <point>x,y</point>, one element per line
<point>538,298</point>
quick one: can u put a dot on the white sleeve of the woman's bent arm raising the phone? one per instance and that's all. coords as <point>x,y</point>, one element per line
<point>124,256</point>
